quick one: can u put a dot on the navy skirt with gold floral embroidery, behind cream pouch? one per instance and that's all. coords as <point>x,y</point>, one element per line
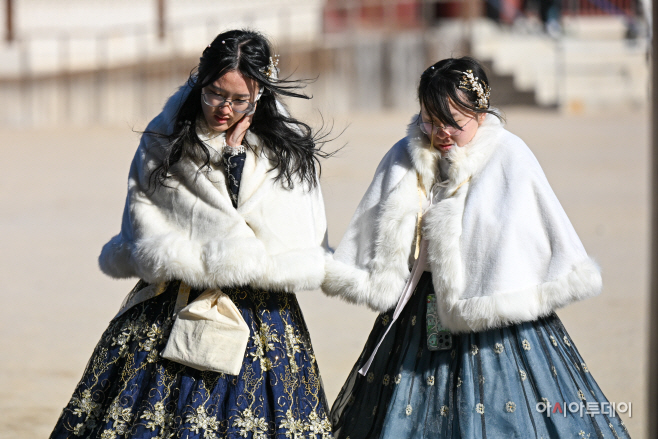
<point>129,391</point>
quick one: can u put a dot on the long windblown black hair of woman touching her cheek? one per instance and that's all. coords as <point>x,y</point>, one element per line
<point>293,144</point>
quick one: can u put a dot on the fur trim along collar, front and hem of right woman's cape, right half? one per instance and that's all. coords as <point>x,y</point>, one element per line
<point>443,229</point>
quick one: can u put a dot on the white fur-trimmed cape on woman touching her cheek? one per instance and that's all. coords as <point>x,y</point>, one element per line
<point>275,239</point>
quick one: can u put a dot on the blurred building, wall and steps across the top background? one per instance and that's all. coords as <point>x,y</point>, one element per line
<point>106,61</point>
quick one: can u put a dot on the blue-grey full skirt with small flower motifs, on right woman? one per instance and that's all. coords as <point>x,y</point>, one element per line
<point>500,383</point>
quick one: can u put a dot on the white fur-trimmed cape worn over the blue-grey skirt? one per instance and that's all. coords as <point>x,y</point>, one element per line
<point>501,249</point>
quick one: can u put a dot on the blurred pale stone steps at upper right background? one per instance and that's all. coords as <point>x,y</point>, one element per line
<point>578,68</point>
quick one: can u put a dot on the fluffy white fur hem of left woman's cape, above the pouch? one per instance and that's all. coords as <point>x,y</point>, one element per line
<point>231,262</point>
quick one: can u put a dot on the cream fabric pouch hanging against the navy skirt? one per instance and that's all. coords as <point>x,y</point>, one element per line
<point>209,334</point>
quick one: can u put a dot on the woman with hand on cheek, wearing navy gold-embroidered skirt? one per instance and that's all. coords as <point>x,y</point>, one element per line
<point>224,221</point>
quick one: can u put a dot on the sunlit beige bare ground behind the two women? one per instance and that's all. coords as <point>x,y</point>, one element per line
<point>62,192</point>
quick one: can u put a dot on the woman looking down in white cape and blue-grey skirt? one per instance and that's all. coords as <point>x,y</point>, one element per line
<point>463,248</point>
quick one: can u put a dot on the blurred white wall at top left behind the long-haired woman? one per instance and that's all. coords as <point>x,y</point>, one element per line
<point>61,35</point>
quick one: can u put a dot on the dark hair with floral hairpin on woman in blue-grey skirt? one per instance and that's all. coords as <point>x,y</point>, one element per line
<point>442,84</point>
